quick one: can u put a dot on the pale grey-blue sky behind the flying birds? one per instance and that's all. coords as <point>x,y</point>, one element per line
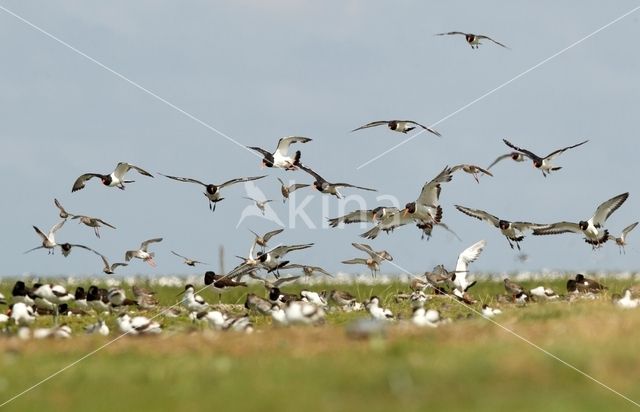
<point>222,75</point>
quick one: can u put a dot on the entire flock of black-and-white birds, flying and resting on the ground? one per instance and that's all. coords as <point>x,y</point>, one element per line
<point>308,306</point>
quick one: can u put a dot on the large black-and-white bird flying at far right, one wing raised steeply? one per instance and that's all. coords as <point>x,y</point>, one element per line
<point>593,229</point>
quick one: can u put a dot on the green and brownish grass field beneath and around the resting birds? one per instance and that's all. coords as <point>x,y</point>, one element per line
<point>469,364</point>
